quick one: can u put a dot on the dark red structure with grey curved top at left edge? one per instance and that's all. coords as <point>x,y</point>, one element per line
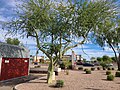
<point>14,61</point>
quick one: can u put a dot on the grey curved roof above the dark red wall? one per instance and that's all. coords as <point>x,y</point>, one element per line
<point>8,50</point>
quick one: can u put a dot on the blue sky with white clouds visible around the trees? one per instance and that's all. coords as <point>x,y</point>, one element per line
<point>7,12</point>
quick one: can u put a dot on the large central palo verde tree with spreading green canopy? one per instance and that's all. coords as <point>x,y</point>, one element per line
<point>56,24</point>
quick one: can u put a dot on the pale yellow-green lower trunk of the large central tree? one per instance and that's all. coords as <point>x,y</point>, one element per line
<point>50,72</point>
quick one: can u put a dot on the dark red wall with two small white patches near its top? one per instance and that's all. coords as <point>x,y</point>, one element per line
<point>14,67</point>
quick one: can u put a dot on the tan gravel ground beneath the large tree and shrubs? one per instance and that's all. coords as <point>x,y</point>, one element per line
<point>76,80</point>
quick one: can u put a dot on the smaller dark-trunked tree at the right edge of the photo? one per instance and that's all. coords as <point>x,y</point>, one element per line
<point>109,35</point>
